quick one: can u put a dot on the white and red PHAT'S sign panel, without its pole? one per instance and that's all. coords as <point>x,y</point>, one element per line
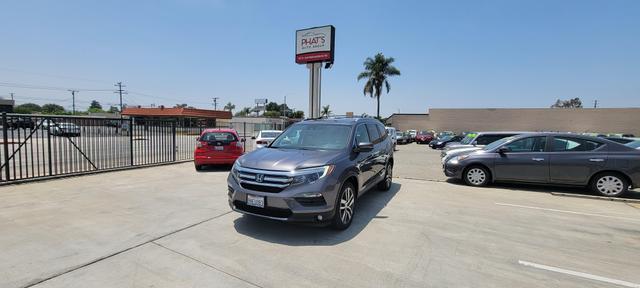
<point>315,44</point>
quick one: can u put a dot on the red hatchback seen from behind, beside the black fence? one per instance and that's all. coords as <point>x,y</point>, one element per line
<point>217,147</point>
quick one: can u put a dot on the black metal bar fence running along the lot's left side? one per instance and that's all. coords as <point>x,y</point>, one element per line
<point>47,146</point>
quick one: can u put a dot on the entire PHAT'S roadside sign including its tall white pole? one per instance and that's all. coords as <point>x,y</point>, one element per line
<point>315,47</point>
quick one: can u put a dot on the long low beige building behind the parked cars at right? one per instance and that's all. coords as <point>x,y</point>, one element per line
<point>600,120</point>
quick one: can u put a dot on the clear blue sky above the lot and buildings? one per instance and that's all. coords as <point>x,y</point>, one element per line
<point>451,54</point>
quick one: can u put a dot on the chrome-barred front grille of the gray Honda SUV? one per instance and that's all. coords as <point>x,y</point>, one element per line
<point>263,180</point>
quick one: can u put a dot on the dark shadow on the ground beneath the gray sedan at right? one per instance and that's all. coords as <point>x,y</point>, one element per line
<point>523,187</point>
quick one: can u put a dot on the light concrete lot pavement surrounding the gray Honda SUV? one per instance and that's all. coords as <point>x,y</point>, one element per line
<point>170,226</point>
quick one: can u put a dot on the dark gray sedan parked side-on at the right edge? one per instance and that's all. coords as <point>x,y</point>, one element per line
<point>607,167</point>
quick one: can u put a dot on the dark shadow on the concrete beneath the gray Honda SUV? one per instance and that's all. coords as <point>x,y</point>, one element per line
<point>368,207</point>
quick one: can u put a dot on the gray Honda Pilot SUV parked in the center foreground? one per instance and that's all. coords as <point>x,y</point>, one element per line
<point>314,171</point>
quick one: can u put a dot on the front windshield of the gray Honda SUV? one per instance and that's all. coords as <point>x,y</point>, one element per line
<point>314,136</point>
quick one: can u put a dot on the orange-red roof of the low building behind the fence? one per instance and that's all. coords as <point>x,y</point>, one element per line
<point>176,112</point>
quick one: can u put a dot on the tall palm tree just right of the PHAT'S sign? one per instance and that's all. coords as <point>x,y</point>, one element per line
<point>377,70</point>
